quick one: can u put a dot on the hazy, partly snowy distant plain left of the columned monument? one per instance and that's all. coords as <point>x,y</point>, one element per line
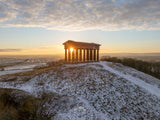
<point>16,64</point>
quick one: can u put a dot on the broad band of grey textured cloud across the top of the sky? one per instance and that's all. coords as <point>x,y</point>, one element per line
<point>82,14</point>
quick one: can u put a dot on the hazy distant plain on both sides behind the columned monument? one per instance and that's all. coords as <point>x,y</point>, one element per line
<point>16,64</point>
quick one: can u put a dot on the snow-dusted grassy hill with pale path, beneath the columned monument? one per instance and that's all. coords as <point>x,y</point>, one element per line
<point>93,91</point>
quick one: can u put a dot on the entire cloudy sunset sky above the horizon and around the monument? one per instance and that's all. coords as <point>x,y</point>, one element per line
<point>41,26</point>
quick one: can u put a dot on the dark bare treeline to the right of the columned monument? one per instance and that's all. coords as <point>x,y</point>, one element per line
<point>151,68</point>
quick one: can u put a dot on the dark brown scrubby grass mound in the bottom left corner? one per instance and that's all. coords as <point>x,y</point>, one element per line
<point>19,105</point>
